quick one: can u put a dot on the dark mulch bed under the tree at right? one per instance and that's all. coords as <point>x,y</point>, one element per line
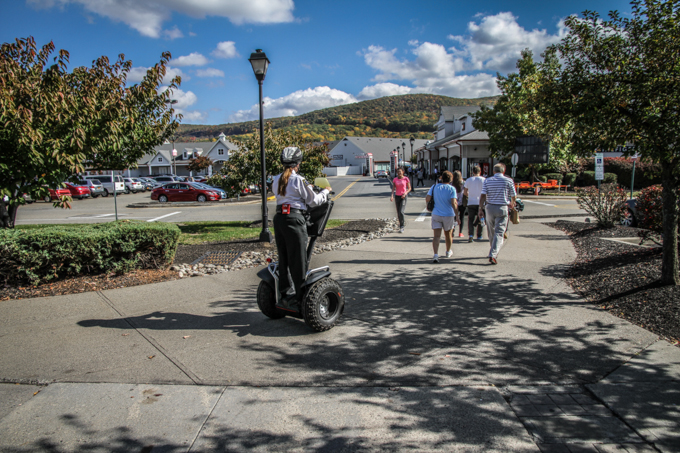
<point>623,278</point>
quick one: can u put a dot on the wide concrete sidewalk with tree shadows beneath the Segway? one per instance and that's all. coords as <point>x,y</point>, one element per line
<point>459,356</point>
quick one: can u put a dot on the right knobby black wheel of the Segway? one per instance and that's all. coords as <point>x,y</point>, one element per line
<point>323,304</point>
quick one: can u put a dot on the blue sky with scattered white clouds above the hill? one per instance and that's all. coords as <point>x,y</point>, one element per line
<point>323,53</point>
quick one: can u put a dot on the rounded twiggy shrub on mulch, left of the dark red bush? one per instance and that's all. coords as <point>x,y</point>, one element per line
<point>607,205</point>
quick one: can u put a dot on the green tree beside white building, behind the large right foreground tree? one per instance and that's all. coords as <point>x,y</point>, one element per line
<point>515,114</point>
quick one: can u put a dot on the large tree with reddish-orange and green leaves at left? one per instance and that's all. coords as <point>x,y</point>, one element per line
<point>54,124</point>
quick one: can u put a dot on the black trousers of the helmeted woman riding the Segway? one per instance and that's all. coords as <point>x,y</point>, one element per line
<point>290,231</point>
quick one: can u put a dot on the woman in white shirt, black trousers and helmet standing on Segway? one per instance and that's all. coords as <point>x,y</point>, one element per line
<point>293,197</point>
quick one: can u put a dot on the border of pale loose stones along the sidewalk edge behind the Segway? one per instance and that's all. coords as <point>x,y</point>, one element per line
<point>254,259</point>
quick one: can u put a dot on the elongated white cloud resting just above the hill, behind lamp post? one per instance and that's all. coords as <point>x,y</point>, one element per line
<point>296,103</point>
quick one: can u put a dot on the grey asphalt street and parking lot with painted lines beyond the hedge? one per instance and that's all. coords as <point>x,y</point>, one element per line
<point>357,197</point>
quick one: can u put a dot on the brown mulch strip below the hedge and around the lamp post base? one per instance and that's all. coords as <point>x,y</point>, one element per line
<point>185,254</point>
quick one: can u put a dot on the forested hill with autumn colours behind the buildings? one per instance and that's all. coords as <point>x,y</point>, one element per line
<point>391,116</point>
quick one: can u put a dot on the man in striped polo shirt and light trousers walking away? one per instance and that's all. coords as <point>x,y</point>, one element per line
<point>498,196</point>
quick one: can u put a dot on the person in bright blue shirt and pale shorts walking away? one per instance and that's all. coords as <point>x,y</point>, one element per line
<point>444,213</point>
